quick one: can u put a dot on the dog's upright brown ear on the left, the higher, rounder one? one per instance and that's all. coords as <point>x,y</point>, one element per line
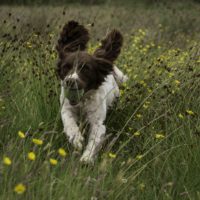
<point>73,37</point>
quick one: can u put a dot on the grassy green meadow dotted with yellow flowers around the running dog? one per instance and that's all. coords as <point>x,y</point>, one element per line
<point>153,148</point>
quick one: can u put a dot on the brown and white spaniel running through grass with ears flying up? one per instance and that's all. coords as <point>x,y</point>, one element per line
<point>91,82</point>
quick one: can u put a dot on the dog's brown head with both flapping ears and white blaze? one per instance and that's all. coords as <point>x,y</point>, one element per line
<point>78,69</point>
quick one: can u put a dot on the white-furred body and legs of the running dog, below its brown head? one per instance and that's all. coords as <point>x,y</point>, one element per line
<point>94,104</point>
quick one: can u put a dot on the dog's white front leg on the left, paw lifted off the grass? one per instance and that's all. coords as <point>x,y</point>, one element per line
<point>70,126</point>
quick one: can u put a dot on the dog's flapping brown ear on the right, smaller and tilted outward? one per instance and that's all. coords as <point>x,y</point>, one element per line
<point>110,46</point>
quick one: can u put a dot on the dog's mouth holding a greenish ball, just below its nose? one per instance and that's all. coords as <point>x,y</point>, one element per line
<point>74,95</point>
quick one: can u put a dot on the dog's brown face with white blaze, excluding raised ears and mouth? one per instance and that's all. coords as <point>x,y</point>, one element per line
<point>79,70</point>
